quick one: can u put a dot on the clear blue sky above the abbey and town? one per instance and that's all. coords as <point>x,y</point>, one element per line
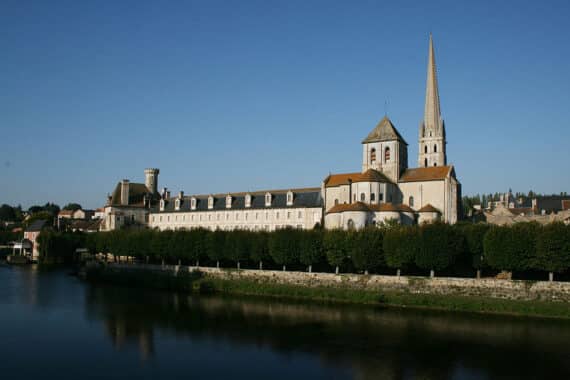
<point>227,96</point>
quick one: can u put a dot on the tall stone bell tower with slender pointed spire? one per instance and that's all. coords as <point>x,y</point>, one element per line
<point>432,128</point>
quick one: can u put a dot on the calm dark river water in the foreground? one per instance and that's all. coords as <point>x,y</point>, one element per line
<point>54,326</point>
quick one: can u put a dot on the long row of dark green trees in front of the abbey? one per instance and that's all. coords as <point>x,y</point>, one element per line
<point>463,250</point>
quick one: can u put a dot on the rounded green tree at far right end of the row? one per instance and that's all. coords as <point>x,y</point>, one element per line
<point>553,249</point>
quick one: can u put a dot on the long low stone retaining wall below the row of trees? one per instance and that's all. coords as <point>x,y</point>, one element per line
<point>494,288</point>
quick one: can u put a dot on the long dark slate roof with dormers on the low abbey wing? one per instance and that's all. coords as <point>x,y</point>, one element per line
<point>305,198</point>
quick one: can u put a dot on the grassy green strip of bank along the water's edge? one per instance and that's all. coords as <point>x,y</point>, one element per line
<point>197,282</point>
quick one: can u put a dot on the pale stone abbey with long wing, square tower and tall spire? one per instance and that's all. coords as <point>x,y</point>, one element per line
<point>385,189</point>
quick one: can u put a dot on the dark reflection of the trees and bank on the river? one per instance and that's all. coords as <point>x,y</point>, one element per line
<point>369,343</point>
